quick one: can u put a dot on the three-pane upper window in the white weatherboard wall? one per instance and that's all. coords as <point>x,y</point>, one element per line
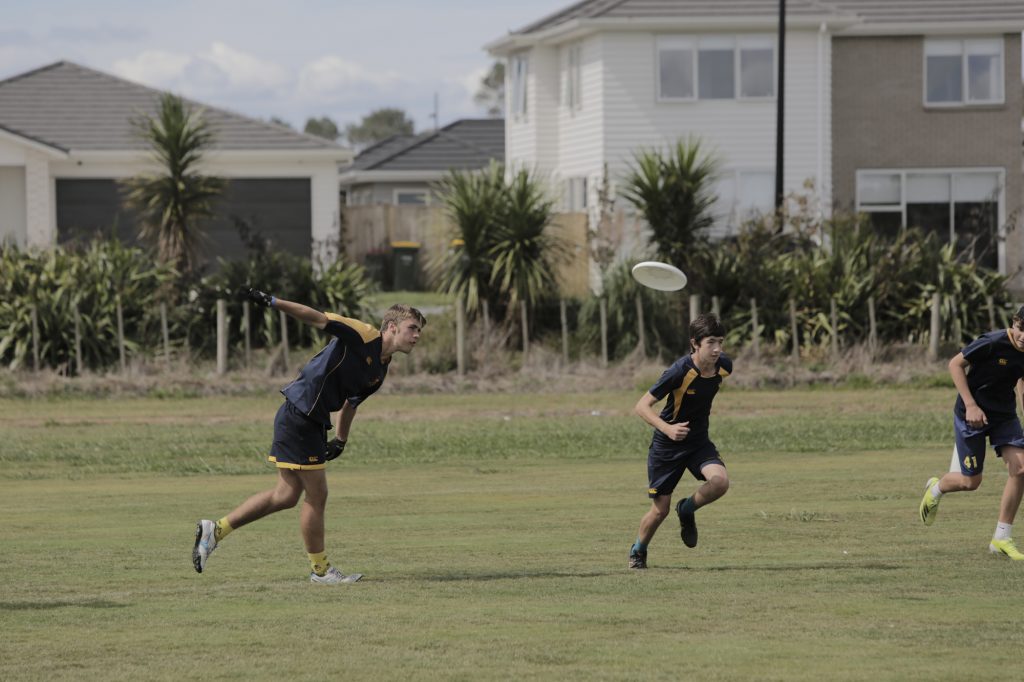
<point>715,68</point>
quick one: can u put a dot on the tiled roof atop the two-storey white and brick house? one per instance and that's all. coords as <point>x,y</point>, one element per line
<point>867,12</point>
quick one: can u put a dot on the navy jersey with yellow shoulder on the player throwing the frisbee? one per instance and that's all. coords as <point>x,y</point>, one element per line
<point>350,368</point>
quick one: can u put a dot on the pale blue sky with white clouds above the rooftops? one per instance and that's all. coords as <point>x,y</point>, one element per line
<point>291,60</point>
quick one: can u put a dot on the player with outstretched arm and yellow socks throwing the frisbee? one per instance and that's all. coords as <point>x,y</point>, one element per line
<point>347,372</point>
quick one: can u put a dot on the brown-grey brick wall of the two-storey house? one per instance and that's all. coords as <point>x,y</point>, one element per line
<point>880,121</point>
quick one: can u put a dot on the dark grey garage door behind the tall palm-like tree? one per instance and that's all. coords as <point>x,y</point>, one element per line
<point>274,209</point>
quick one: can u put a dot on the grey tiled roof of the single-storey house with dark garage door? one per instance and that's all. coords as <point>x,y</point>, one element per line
<point>74,108</point>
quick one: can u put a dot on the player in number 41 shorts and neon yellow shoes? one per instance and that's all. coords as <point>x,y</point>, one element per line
<point>987,374</point>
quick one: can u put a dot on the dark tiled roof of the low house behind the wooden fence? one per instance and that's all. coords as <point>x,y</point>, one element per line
<point>463,145</point>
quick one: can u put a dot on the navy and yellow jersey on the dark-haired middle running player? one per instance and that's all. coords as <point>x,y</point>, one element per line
<point>690,398</point>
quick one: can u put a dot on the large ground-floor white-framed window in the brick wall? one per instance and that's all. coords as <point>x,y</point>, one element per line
<point>962,206</point>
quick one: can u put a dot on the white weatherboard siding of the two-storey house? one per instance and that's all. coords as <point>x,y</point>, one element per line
<point>621,115</point>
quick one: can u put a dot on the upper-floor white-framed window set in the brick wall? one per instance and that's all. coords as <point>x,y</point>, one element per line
<point>960,73</point>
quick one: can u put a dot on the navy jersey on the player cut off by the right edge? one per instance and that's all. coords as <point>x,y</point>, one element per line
<point>997,365</point>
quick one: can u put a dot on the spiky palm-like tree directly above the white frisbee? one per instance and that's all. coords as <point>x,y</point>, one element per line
<point>673,192</point>
